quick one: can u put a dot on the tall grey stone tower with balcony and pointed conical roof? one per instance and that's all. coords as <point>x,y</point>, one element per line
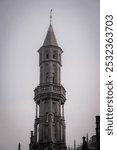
<point>49,96</point>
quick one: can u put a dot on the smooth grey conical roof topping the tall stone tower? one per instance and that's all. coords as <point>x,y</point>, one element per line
<point>50,37</point>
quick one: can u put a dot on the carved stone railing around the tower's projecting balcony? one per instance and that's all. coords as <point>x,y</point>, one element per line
<point>49,88</point>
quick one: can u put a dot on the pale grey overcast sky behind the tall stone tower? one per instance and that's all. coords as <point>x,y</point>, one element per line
<point>23,27</point>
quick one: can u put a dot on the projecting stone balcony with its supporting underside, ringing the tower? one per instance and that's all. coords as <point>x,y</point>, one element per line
<point>44,90</point>
